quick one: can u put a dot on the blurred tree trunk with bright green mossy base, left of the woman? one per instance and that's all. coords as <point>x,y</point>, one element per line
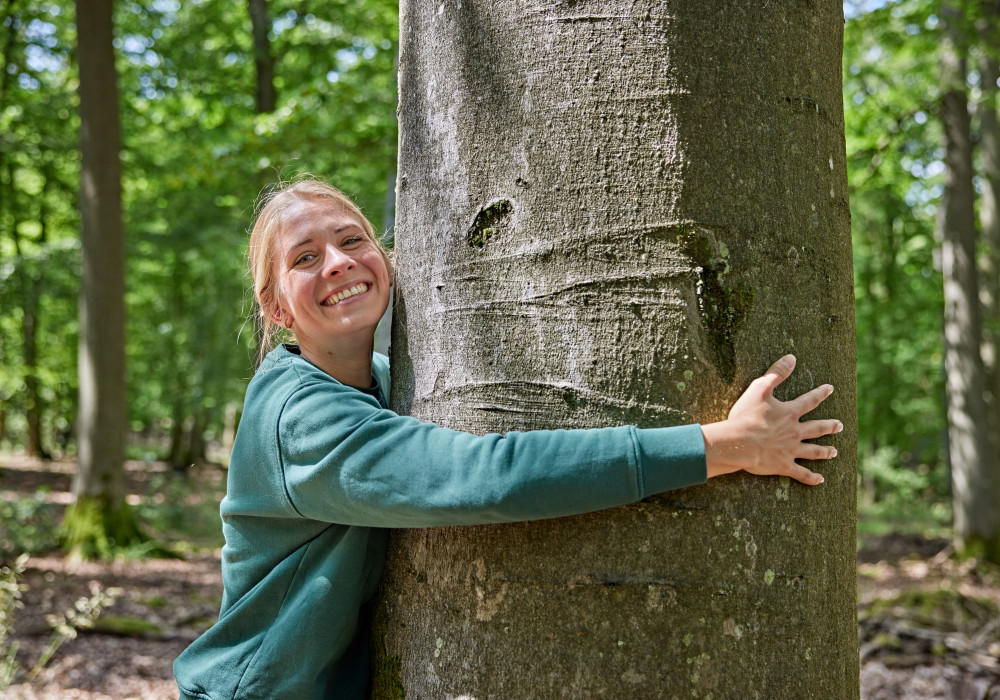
<point>99,519</point>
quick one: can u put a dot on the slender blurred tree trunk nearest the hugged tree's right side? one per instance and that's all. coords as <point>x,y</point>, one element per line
<point>974,484</point>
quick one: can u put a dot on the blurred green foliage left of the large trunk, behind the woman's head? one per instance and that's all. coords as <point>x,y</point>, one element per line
<point>196,153</point>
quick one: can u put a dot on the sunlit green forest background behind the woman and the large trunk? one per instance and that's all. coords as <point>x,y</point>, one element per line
<point>217,101</point>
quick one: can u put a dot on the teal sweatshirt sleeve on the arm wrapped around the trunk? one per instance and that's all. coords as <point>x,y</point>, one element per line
<point>345,459</point>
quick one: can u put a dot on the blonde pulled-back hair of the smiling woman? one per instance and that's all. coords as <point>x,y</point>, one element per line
<point>272,212</point>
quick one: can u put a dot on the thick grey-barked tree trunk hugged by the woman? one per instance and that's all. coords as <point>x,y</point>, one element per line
<point>611,213</point>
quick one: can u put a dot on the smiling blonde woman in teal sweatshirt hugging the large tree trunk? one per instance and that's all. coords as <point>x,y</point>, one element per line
<point>321,466</point>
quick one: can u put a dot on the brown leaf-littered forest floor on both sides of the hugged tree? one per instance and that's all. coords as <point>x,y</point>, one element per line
<point>929,623</point>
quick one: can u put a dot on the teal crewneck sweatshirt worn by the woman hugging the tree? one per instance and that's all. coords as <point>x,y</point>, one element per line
<point>319,469</point>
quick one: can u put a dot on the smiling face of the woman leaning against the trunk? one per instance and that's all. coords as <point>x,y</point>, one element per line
<point>333,281</point>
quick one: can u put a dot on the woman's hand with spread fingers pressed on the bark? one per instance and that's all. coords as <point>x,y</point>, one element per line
<point>765,436</point>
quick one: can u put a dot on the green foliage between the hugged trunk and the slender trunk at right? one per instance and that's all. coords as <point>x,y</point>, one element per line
<point>895,177</point>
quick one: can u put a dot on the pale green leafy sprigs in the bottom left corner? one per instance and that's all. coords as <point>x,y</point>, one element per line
<point>83,615</point>
